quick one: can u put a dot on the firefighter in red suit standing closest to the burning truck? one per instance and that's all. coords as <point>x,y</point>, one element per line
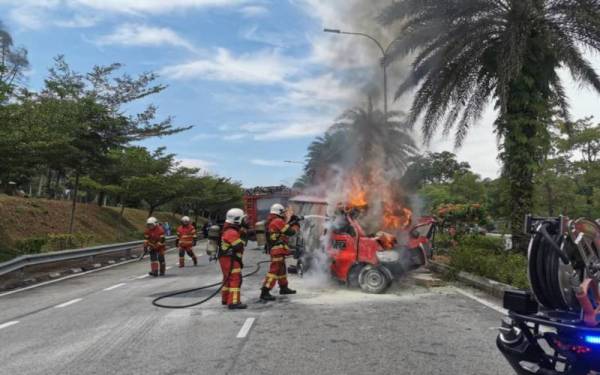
<point>278,231</point>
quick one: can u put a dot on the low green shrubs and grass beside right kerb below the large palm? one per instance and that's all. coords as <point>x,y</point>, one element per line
<point>485,256</point>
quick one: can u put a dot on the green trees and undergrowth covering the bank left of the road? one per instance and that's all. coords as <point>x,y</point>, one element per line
<point>77,141</point>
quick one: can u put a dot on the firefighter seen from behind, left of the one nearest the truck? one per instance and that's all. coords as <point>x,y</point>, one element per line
<point>230,258</point>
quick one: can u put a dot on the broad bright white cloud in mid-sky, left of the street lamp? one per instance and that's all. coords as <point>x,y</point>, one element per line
<point>263,67</point>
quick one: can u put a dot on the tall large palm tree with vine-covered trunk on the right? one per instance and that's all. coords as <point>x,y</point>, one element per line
<point>468,52</point>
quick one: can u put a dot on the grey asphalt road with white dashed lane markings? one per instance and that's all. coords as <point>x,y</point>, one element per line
<point>104,323</point>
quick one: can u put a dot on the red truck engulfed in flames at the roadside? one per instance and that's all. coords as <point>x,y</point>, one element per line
<point>335,240</point>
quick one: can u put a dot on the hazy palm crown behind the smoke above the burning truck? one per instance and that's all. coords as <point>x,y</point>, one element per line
<point>362,138</point>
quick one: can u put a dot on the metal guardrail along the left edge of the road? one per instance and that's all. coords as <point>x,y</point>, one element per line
<point>67,255</point>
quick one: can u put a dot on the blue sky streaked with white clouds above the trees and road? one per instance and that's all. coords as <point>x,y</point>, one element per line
<point>258,79</point>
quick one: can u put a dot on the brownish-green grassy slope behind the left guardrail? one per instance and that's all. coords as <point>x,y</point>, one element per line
<point>32,225</point>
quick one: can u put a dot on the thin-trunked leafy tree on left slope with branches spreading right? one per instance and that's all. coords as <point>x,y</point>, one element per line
<point>88,111</point>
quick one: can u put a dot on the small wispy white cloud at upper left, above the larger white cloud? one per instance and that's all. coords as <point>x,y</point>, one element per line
<point>143,35</point>
